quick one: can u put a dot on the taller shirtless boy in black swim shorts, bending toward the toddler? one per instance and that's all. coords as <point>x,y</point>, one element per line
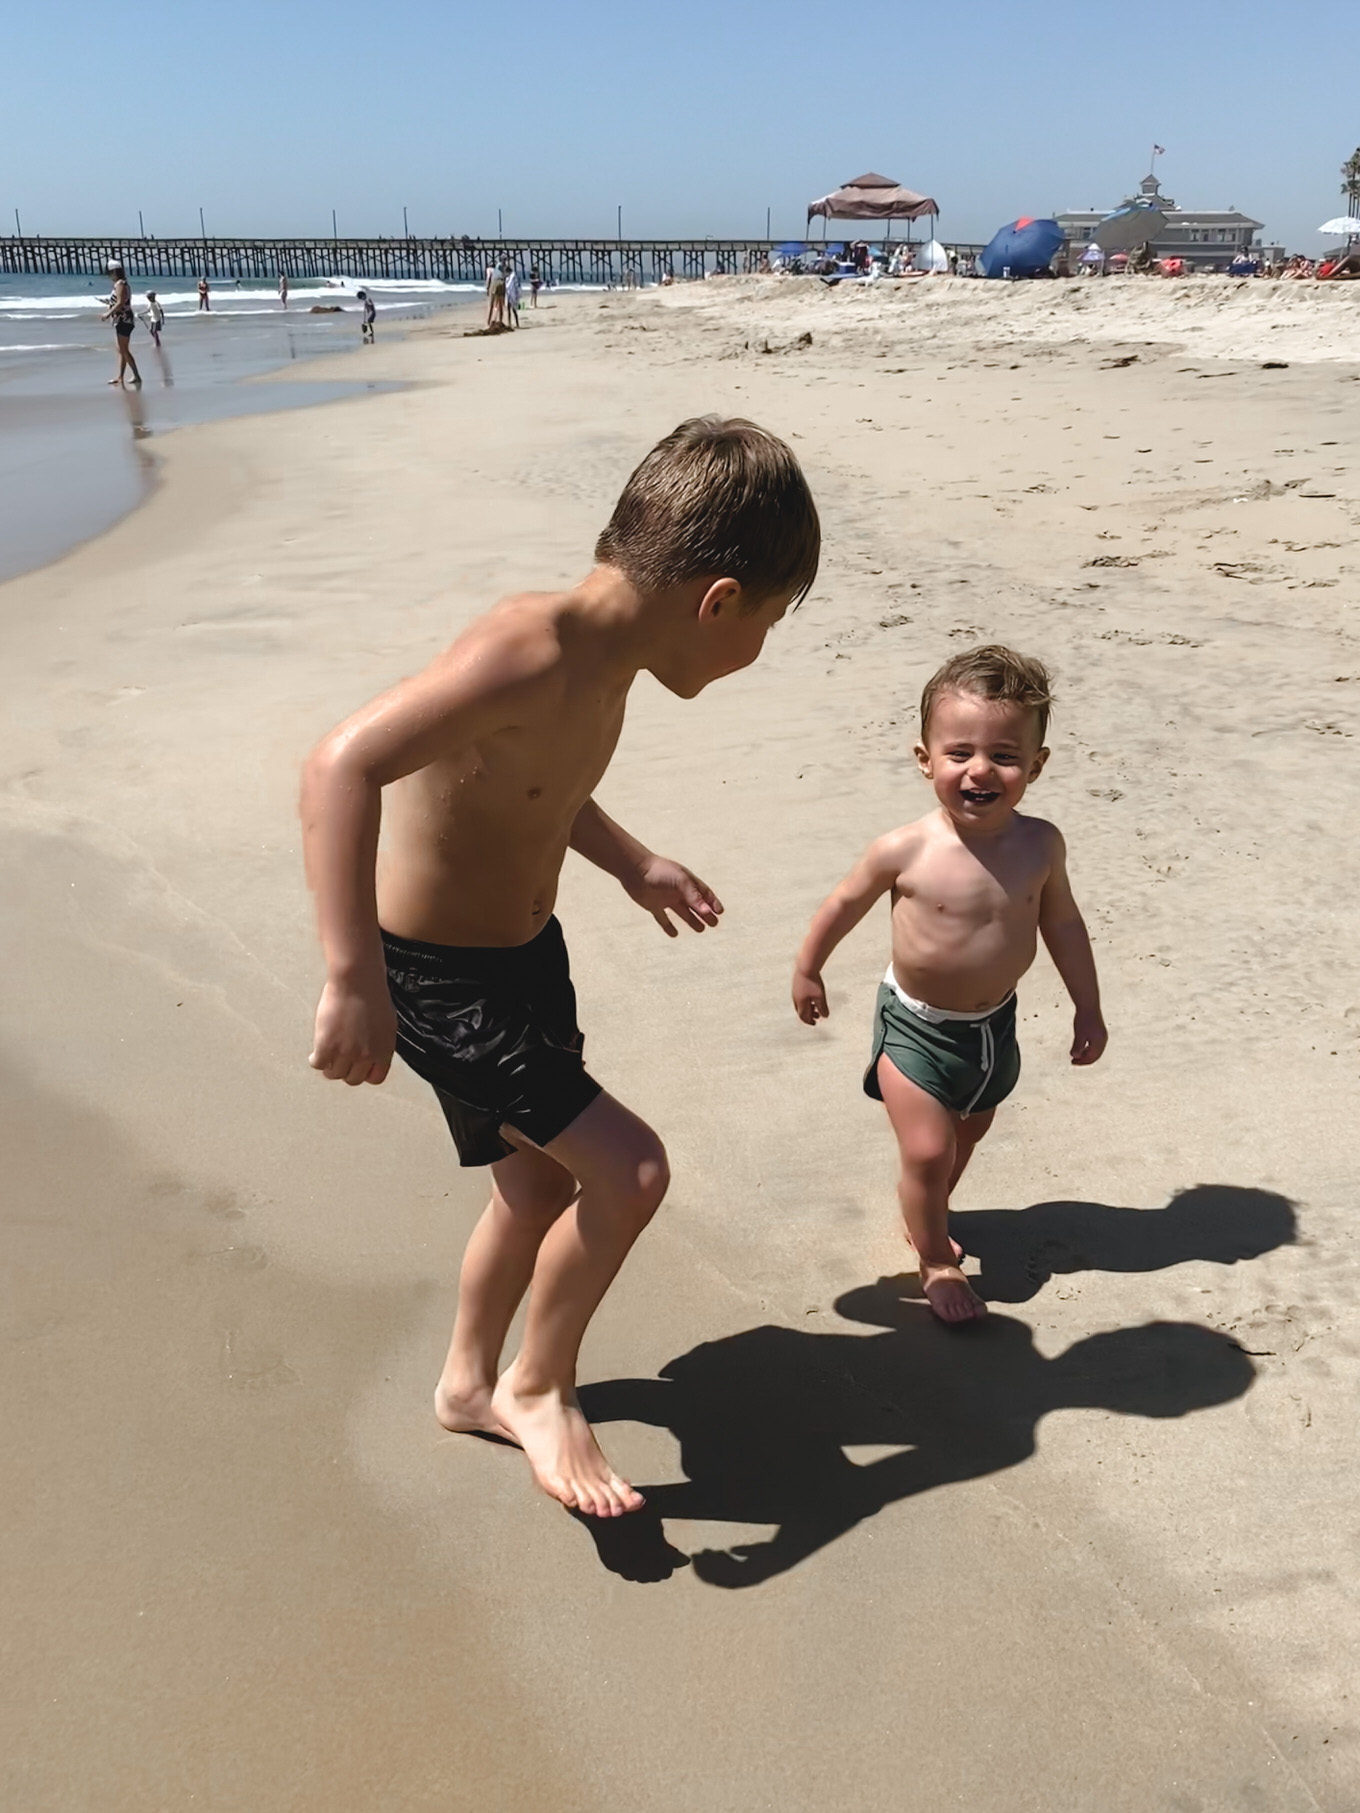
<point>449,951</point>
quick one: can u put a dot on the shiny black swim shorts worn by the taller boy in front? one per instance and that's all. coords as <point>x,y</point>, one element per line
<point>494,1033</point>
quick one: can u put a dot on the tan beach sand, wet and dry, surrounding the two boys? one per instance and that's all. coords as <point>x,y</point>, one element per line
<point>246,1571</point>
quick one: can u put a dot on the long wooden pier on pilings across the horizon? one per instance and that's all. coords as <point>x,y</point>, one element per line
<point>463,260</point>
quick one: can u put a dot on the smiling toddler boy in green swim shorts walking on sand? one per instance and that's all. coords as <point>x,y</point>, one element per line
<point>975,886</point>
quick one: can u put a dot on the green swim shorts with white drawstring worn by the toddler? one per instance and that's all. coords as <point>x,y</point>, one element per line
<point>967,1062</point>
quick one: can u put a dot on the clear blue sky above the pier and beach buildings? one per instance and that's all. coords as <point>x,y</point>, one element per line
<point>695,115</point>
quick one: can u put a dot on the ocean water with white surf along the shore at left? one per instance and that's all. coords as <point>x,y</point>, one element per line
<point>75,452</point>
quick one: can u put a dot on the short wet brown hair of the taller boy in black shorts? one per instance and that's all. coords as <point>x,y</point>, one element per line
<point>717,499</point>
